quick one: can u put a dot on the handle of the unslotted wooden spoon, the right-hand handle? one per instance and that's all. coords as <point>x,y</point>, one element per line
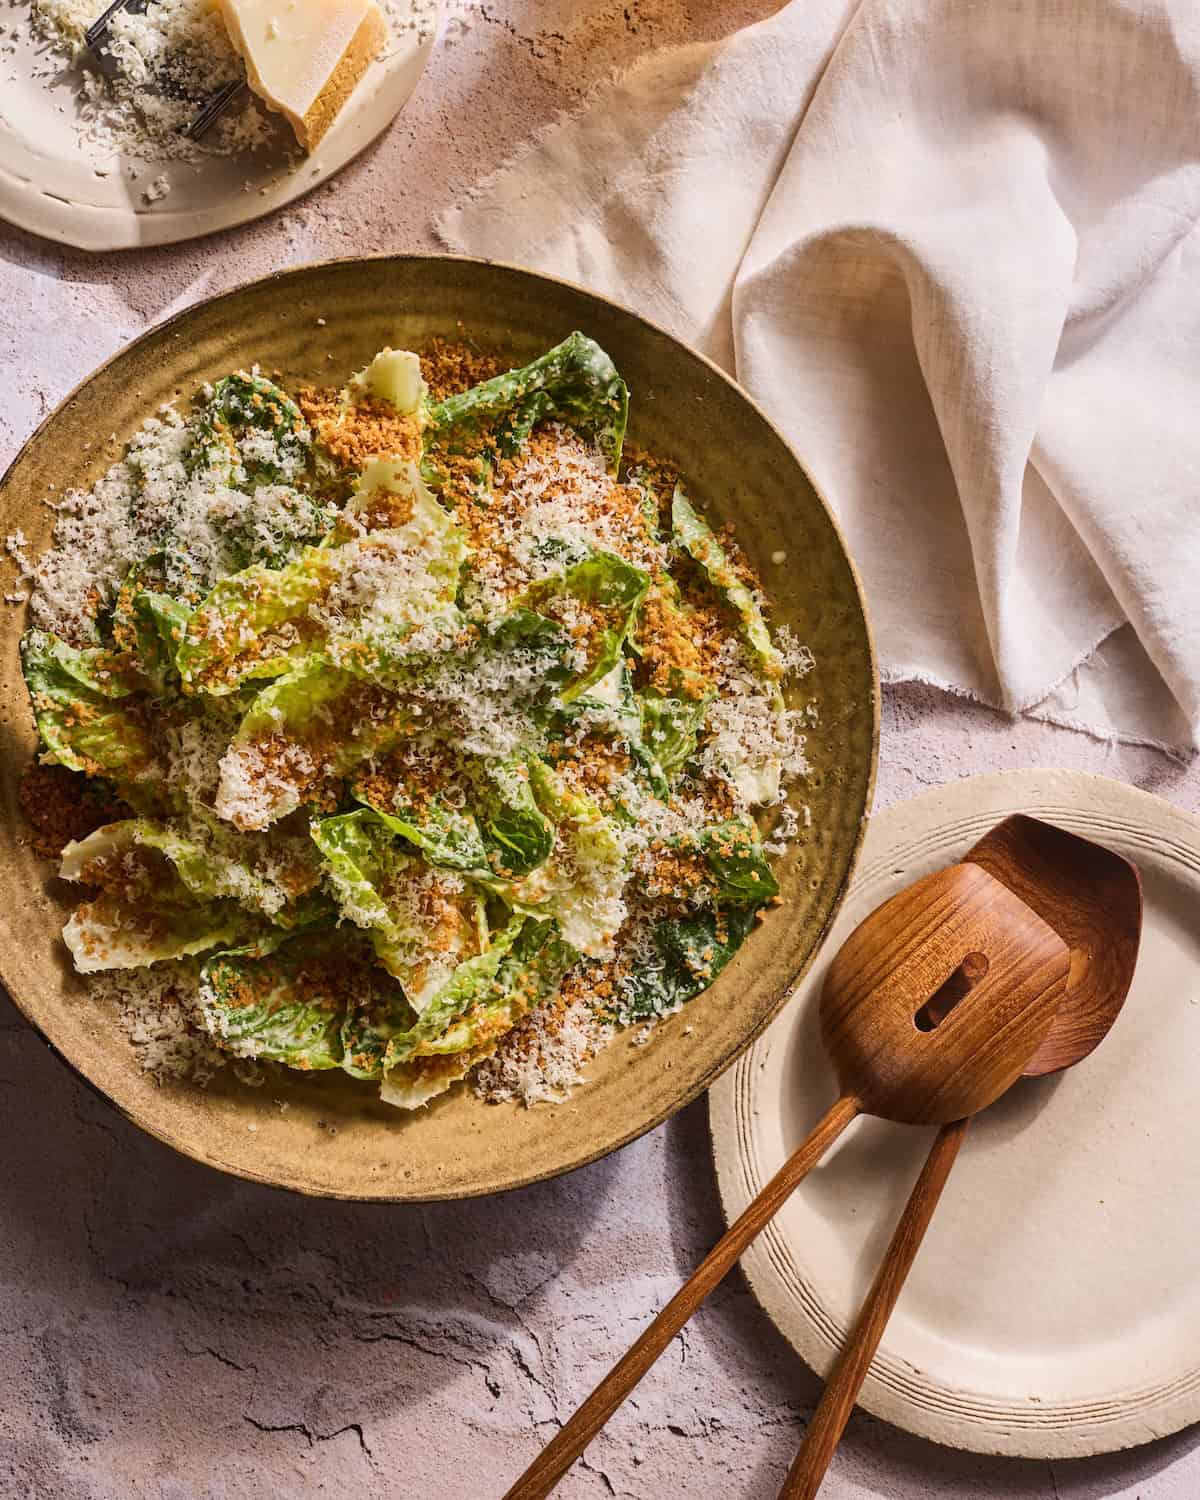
<point>842,1390</point>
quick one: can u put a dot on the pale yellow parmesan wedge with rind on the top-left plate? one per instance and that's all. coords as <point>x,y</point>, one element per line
<point>304,58</point>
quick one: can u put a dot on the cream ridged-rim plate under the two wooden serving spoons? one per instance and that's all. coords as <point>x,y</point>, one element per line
<point>1055,1307</point>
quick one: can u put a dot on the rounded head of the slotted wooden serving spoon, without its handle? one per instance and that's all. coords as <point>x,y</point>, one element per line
<point>955,923</point>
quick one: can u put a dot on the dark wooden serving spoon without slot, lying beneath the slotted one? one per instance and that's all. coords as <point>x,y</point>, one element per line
<point>1093,899</point>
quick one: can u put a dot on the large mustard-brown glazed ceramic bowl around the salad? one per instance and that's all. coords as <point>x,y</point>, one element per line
<point>335,1138</point>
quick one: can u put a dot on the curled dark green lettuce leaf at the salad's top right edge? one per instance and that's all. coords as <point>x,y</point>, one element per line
<point>574,382</point>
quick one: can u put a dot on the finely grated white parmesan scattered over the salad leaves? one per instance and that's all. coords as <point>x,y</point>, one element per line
<point>553,505</point>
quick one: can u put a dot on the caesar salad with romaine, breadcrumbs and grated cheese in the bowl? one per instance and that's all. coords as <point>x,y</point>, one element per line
<point>418,730</point>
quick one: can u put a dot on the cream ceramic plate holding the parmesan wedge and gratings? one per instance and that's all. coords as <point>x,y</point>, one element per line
<point>50,182</point>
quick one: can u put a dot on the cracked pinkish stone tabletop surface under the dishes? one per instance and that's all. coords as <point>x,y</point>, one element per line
<point>169,1333</point>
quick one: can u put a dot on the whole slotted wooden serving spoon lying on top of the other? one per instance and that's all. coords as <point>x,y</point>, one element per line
<point>932,1009</point>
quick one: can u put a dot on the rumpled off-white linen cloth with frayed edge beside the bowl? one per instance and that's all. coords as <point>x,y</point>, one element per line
<point>952,248</point>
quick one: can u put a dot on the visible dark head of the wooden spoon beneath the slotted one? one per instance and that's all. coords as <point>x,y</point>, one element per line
<point>1093,899</point>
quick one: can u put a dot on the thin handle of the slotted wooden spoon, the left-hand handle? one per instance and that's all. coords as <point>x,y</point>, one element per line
<point>559,1456</point>
